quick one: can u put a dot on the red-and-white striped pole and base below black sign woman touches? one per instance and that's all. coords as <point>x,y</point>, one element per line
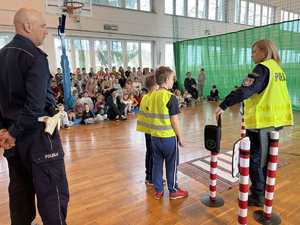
<point>212,200</point>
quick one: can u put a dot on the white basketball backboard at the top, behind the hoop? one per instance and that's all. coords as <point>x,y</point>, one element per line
<point>57,6</point>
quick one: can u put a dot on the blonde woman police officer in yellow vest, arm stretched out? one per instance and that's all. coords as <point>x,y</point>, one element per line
<point>267,107</point>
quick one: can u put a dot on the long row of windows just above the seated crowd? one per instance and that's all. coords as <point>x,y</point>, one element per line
<point>107,53</point>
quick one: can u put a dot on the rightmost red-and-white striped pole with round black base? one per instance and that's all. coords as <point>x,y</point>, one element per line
<point>266,216</point>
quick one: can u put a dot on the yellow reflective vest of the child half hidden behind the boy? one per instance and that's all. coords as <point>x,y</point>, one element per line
<point>143,120</point>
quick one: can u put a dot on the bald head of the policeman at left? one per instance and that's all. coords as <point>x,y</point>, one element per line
<point>31,24</point>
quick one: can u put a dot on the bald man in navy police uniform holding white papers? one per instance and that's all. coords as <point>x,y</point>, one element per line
<point>35,158</point>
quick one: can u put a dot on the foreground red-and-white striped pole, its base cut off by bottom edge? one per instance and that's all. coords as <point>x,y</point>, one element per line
<point>244,180</point>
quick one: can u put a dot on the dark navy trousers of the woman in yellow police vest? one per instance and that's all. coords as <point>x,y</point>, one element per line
<point>258,159</point>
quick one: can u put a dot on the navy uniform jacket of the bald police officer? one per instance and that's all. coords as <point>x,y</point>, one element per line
<point>25,92</point>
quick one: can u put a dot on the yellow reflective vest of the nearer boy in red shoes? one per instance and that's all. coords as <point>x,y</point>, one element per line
<point>159,114</point>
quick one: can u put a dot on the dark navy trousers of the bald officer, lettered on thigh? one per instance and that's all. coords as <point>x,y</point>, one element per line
<point>36,168</point>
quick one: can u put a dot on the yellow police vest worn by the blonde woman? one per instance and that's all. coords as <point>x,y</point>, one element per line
<point>272,107</point>
